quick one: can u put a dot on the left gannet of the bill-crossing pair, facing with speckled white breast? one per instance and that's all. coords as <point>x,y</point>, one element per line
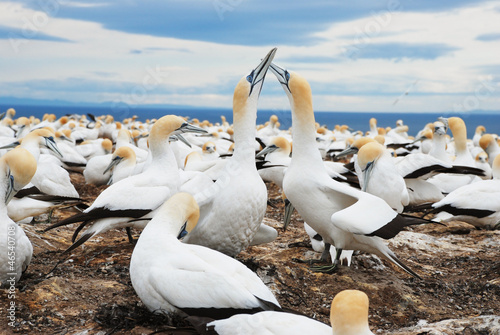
<point>233,208</point>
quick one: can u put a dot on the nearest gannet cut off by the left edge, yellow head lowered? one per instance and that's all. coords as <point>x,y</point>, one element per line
<point>17,167</point>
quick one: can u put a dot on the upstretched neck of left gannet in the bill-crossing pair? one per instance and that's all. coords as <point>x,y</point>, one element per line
<point>244,119</point>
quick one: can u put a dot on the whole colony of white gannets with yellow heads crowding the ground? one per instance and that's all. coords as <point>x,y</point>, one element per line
<point>196,195</point>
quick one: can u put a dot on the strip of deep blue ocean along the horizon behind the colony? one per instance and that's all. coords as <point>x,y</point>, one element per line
<point>355,120</point>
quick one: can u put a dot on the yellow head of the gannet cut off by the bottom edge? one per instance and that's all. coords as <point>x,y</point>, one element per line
<point>349,313</point>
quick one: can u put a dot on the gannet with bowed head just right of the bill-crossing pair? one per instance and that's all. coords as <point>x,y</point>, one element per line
<point>381,177</point>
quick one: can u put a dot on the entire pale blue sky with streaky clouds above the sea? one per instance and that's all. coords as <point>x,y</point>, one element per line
<point>391,55</point>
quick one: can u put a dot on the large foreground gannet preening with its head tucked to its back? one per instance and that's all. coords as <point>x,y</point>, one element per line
<point>174,277</point>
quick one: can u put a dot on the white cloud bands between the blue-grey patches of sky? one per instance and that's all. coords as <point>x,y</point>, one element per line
<point>205,67</point>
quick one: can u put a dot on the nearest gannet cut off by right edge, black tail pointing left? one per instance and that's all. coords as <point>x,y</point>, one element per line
<point>477,203</point>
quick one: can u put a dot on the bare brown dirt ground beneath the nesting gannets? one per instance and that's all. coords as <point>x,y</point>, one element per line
<point>89,291</point>
